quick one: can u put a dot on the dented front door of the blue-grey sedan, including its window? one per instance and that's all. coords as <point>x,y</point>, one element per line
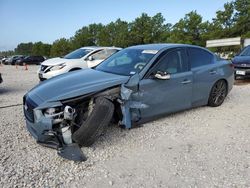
<point>166,96</point>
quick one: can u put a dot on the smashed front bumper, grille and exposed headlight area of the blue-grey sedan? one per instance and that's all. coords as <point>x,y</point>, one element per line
<point>52,127</point>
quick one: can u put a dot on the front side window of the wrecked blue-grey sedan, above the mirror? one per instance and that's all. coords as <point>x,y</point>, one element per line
<point>173,62</point>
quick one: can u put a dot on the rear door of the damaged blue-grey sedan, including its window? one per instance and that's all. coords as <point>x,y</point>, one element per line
<point>205,73</point>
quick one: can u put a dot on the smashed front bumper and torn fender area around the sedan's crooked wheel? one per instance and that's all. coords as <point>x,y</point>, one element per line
<point>54,124</point>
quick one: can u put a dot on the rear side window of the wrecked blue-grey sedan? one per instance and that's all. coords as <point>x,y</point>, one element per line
<point>199,57</point>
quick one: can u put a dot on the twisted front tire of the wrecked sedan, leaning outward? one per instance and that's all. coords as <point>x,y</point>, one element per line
<point>96,123</point>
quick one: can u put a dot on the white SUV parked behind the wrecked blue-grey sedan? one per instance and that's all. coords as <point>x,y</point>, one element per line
<point>86,57</point>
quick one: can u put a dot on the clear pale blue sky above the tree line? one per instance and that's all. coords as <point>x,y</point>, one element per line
<point>48,20</point>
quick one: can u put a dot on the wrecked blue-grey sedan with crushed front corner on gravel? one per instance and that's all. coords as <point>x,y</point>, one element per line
<point>135,85</point>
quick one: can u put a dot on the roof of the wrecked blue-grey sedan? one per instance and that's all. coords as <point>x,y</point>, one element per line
<point>161,46</point>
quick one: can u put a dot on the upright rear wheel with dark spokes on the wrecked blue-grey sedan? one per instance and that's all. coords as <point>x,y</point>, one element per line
<point>218,93</point>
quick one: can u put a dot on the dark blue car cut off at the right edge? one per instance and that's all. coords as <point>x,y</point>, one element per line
<point>241,63</point>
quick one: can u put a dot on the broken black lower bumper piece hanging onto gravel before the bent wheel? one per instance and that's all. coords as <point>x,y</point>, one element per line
<point>70,151</point>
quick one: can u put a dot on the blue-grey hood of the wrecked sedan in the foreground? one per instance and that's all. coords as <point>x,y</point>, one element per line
<point>74,84</point>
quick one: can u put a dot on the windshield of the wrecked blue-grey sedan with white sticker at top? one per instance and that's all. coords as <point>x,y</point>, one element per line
<point>127,62</point>
